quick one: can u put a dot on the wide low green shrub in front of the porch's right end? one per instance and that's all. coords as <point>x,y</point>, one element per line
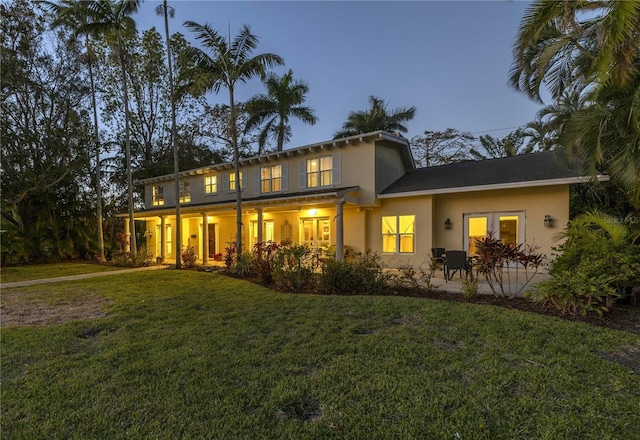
<point>362,274</point>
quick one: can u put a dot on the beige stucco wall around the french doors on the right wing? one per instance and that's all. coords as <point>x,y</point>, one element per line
<point>535,202</point>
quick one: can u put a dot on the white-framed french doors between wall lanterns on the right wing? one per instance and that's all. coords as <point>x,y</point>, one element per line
<point>505,226</point>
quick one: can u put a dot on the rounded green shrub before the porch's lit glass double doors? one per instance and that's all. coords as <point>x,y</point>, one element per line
<point>293,268</point>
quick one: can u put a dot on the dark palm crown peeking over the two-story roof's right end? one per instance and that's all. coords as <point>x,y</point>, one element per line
<point>376,118</point>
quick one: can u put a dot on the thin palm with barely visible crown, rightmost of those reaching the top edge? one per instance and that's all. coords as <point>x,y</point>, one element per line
<point>167,11</point>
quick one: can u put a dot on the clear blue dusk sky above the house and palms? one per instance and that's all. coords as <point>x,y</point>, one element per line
<point>450,60</point>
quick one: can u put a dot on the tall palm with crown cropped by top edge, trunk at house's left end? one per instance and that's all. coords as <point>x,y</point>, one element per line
<point>114,17</point>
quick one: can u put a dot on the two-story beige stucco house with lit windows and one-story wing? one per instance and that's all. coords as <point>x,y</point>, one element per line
<point>365,193</point>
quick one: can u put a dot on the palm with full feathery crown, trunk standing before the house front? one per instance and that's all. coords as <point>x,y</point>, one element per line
<point>229,63</point>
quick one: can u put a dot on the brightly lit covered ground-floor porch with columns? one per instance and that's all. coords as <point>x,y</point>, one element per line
<point>319,220</point>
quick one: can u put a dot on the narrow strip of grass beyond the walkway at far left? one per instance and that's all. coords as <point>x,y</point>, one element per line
<point>40,271</point>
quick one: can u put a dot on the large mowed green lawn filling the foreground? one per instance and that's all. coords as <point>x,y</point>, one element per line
<point>184,354</point>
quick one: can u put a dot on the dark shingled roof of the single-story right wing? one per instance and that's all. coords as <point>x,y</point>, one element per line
<point>523,168</point>
